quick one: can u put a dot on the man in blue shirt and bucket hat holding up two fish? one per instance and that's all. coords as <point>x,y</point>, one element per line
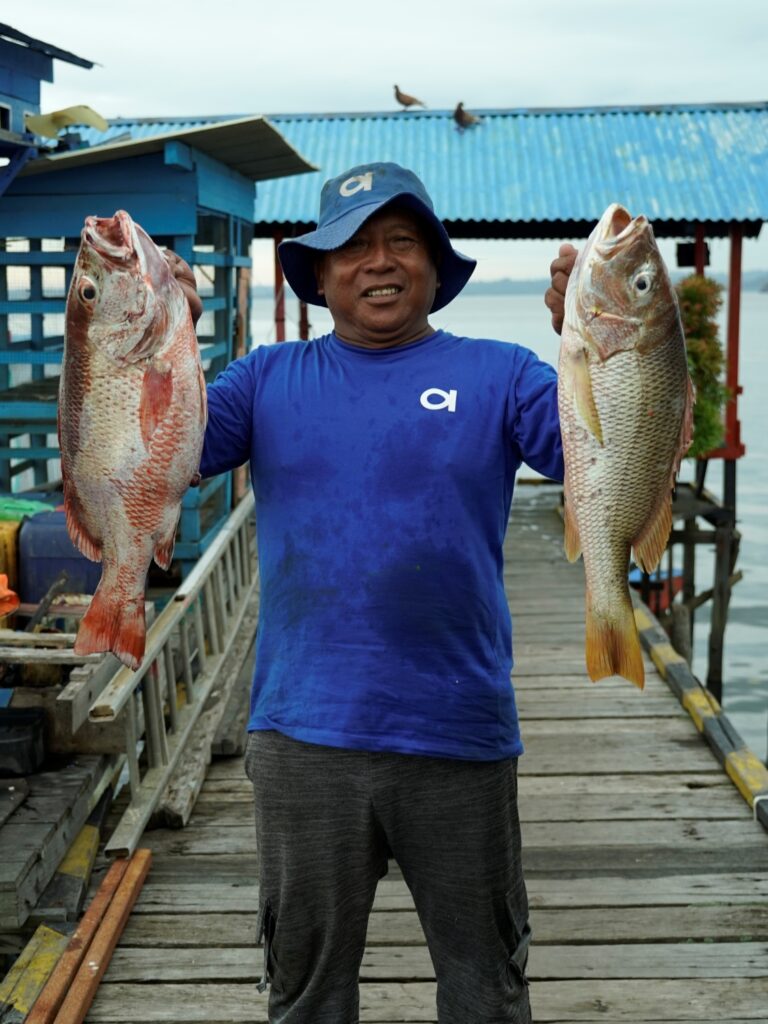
<point>383,722</point>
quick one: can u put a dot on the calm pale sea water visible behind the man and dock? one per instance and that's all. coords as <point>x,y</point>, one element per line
<point>525,319</point>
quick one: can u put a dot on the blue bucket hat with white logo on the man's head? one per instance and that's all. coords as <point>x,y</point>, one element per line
<point>347,203</point>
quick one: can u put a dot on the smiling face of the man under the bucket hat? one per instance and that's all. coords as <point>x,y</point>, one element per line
<point>381,285</point>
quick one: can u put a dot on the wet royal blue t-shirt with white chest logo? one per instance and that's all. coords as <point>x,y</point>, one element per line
<point>383,482</point>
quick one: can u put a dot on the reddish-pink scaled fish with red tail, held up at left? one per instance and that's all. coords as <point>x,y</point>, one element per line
<point>132,419</point>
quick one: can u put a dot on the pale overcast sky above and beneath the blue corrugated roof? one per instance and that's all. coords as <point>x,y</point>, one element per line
<point>160,59</point>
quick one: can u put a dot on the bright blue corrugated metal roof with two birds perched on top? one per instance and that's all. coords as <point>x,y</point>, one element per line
<point>677,164</point>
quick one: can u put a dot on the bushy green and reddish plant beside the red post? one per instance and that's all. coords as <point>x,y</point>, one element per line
<point>701,300</point>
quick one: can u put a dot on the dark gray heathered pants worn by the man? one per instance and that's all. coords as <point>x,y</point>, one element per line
<point>328,821</point>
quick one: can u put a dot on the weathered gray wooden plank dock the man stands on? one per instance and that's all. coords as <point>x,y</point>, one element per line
<point>648,875</point>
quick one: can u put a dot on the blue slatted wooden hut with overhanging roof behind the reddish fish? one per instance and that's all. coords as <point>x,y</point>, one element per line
<point>193,190</point>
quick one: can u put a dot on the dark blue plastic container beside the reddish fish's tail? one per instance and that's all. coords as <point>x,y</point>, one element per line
<point>46,549</point>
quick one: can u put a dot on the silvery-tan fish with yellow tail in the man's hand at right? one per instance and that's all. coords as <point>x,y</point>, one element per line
<point>626,404</point>
